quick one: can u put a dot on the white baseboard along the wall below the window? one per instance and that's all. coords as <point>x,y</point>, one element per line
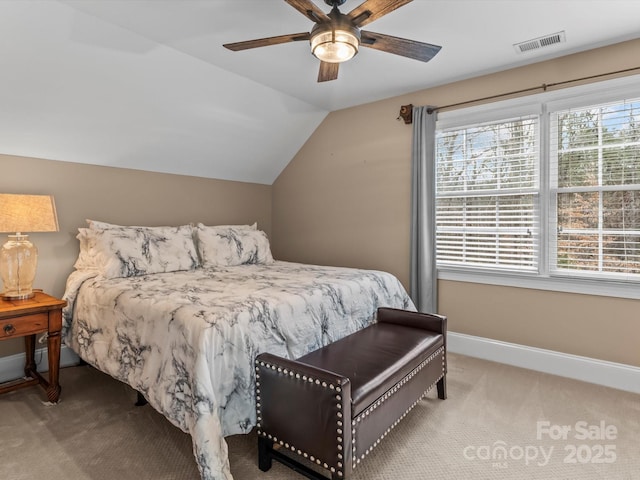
<point>601,372</point>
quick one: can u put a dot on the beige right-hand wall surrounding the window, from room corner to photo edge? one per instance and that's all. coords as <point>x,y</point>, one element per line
<point>345,199</point>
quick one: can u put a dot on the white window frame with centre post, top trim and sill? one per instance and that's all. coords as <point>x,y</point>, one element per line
<point>541,104</point>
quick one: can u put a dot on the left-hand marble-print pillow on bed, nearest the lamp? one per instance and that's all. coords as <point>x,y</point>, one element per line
<point>132,251</point>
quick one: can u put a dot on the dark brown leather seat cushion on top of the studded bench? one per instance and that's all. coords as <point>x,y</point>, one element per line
<point>372,371</point>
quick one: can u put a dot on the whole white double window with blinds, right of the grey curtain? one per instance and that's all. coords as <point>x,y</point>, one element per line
<point>545,190</point>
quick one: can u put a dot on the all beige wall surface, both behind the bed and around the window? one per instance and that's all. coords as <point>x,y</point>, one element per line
<point>343,200</point>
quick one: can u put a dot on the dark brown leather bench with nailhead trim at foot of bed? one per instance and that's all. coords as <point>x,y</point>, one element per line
<point>333,406</point>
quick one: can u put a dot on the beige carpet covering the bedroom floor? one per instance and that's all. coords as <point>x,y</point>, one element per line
<point>96,433</point>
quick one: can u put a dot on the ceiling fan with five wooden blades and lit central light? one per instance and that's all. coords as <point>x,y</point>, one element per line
<point>336,37</point>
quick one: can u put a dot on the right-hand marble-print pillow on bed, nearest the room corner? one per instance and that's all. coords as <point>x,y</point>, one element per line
<point>229,245</point>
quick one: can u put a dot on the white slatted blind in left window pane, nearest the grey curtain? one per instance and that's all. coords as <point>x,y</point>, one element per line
<point>487,192</point>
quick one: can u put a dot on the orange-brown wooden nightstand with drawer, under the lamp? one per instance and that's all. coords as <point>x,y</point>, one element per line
<point>27,318</point>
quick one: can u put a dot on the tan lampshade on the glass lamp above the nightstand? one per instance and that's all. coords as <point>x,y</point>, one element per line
<point>27,213</point>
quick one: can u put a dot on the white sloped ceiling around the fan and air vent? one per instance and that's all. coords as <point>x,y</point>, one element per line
<point>146,84</point>
